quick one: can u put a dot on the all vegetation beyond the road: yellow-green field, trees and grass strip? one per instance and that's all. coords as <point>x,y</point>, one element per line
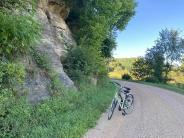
<point>159,64</point>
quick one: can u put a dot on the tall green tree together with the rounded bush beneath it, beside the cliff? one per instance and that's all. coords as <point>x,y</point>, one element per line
<point>94,24</point>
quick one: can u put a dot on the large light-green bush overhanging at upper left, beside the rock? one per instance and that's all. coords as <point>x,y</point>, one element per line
<point>17,34</point>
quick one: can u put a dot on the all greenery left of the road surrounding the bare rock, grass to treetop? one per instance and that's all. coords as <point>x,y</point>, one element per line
<point>66,113</point>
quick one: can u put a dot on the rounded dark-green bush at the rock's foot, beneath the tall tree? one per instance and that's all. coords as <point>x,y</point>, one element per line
<point>81,62</point>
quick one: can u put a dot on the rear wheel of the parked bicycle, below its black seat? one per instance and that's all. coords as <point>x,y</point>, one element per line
<point>129,104</point>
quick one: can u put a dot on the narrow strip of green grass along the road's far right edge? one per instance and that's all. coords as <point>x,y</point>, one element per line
<point>172,87</point>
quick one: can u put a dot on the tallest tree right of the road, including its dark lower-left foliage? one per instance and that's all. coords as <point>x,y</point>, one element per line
<point>168,49</point>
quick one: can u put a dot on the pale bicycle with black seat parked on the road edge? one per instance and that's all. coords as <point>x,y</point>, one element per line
<point>124,99</point>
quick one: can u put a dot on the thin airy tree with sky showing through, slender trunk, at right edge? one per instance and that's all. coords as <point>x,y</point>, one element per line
<point>172,47</point>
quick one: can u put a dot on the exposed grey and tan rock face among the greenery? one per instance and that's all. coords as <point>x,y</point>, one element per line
<point>56,39</point>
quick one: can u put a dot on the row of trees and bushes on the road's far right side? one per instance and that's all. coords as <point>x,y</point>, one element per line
<point>159,60</point>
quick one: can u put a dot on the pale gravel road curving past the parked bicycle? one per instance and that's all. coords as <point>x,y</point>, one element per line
<point>158,113</point>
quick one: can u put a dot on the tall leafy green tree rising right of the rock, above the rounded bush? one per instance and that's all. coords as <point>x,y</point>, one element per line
<point>93,23</point>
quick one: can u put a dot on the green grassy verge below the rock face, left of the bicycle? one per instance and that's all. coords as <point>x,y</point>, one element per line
<point>66,115</point>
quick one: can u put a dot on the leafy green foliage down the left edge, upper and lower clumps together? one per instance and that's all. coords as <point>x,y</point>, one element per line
<point>18,33</point>
